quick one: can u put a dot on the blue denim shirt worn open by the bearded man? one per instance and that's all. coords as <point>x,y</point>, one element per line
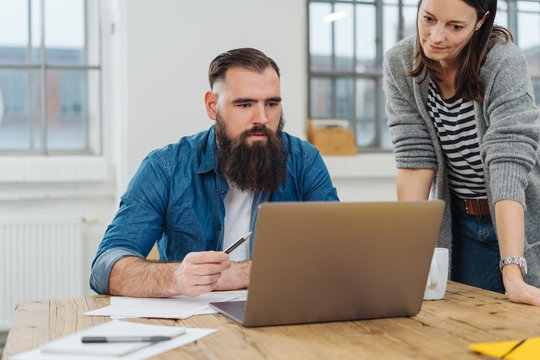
<point>177,199</point>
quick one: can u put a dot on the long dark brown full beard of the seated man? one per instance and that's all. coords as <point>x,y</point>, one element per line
<point>260,166</point>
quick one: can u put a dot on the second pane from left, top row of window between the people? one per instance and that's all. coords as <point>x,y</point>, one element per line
<point>344,39</point>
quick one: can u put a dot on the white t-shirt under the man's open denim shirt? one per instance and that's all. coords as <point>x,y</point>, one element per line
<point>237,216</point>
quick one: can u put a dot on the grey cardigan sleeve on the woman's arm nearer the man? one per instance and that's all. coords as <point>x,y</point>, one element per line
<point>413,146</point>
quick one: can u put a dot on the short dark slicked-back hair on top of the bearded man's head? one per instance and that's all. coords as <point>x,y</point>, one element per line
<point>247,58</point>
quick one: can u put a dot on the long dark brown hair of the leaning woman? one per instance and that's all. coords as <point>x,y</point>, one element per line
<point>467,81</point>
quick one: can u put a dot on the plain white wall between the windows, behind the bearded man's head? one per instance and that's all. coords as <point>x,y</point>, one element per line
<point>169,46</point>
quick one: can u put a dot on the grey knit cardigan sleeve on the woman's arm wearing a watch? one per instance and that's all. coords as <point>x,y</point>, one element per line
<point>510,144</point>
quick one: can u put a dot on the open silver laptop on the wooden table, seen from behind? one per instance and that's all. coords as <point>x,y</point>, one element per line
<point>330,261</point>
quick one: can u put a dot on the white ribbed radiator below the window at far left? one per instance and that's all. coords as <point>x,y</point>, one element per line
<point>40,257</point>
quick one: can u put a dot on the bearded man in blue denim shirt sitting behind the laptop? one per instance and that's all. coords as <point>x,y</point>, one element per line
<point>198,196</point>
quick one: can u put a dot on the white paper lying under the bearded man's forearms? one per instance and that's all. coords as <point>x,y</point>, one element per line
<point>177,307</point>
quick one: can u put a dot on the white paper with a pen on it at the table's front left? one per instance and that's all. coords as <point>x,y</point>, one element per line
<point>72,343</point>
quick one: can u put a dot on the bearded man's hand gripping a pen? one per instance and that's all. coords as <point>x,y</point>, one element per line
<point>200,271</point>
